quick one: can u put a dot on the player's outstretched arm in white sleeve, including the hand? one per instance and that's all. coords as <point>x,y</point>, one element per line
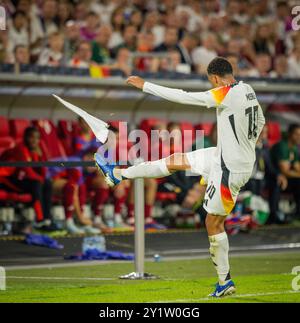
<point>174,95</point>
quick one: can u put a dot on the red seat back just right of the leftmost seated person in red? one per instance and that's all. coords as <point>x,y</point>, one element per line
<point>50,143</point>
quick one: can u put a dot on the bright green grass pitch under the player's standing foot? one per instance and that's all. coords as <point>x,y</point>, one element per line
<point>258,278</point>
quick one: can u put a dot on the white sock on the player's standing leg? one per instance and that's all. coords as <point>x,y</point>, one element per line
<point>219,249</point>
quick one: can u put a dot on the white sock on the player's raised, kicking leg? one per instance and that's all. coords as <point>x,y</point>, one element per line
<point>154,169</point>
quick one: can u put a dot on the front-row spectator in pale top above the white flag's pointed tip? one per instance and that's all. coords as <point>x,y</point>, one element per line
<point>53,55</point>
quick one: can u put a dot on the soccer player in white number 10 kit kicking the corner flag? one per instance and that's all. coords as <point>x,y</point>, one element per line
<point>225,168</point>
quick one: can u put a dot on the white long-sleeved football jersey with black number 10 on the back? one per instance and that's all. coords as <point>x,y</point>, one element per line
<point>239,118</point>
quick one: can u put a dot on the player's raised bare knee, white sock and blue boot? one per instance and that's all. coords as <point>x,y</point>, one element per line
<point>152,169</point>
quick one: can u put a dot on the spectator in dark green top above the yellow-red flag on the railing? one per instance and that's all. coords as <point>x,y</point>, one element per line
<point>101,51</point>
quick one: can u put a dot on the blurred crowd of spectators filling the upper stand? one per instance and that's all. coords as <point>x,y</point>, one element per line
<point>181,36</point>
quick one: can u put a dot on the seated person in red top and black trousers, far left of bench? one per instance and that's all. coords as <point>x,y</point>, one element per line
<point>33,180</point>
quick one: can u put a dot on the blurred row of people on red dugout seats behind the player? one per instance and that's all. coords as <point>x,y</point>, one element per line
<point>60,195</point>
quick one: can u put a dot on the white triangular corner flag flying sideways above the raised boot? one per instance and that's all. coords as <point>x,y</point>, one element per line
<point>99,127</point>
